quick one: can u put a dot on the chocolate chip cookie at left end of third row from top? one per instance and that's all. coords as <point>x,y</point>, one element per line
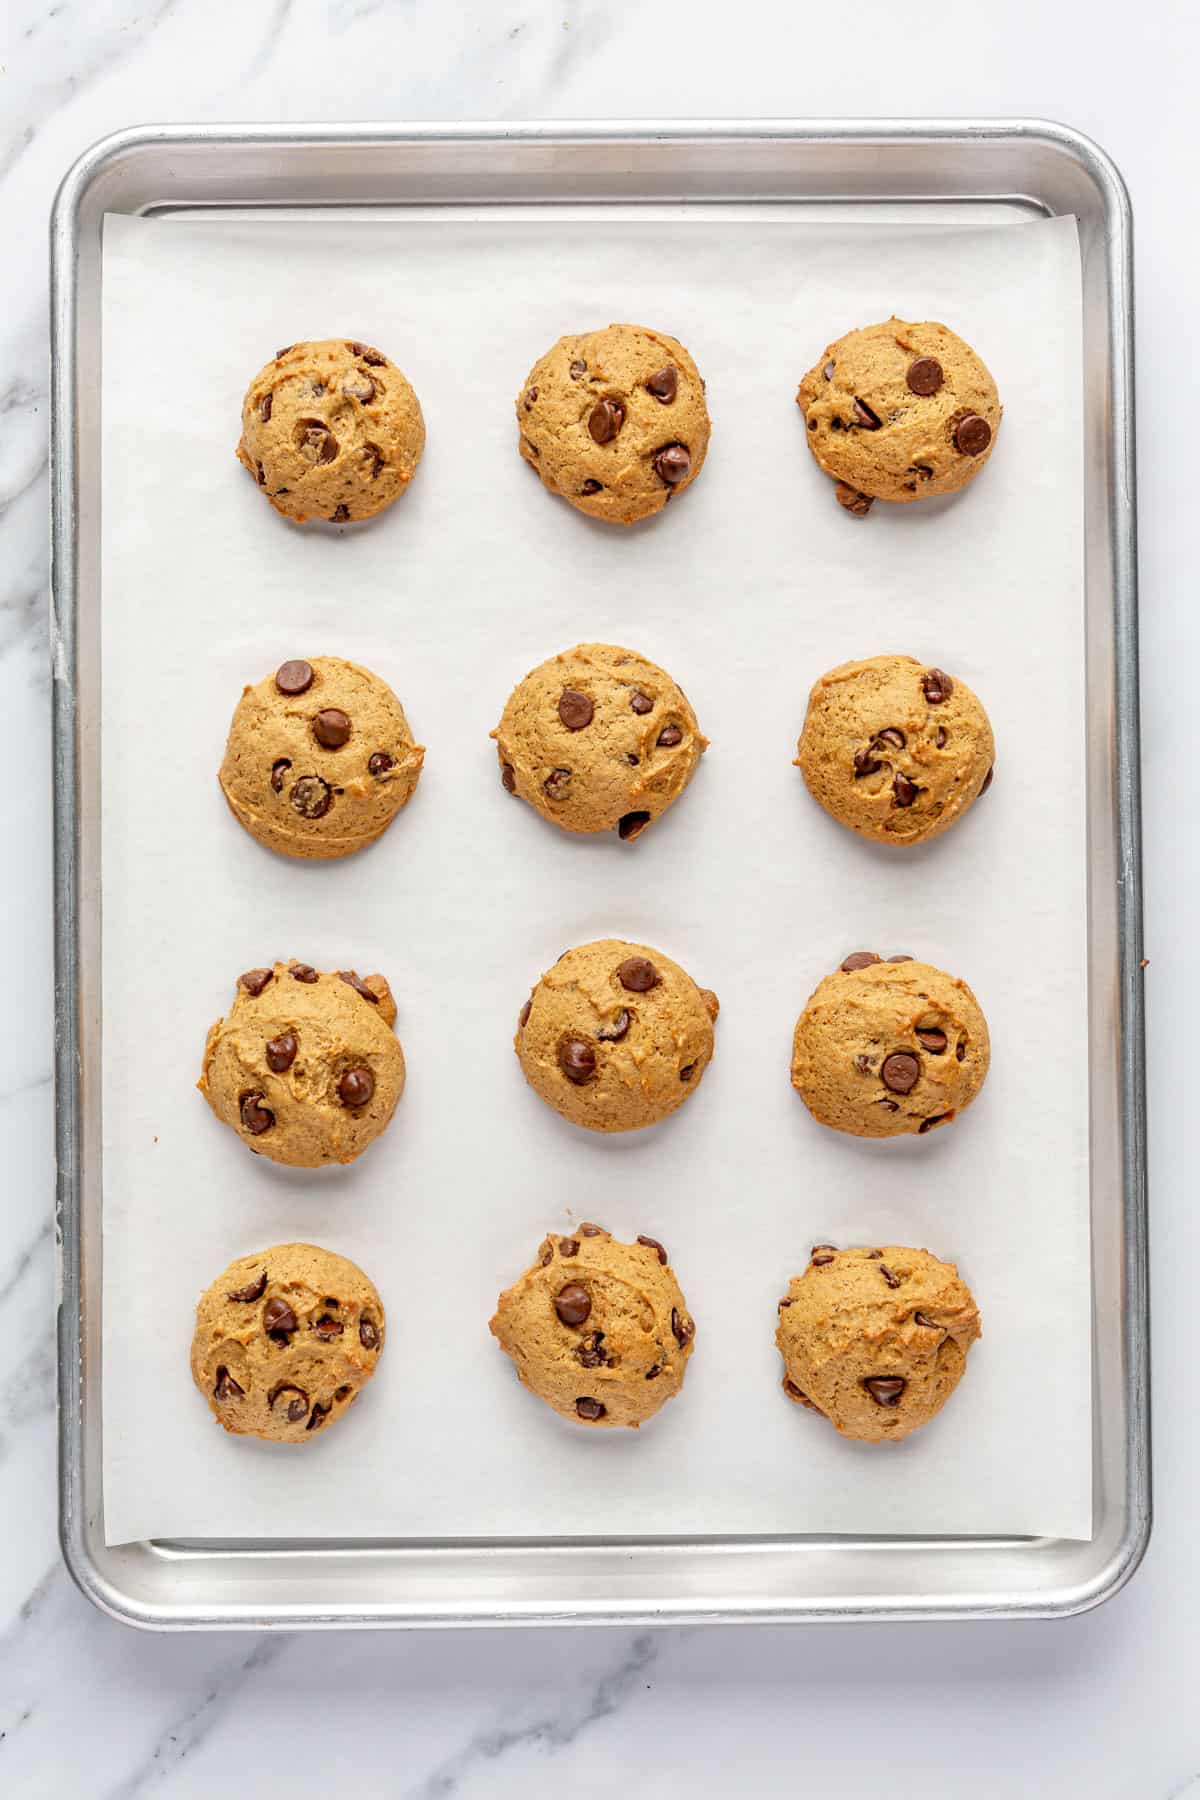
<point>307,1066</point>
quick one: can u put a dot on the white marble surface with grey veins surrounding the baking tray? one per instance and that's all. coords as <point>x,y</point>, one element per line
<point>1102,1705</point>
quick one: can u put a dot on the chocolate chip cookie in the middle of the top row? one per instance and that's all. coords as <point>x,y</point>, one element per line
<point>614,422</point>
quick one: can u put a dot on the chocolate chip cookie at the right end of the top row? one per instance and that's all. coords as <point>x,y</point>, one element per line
<point>899,413</point>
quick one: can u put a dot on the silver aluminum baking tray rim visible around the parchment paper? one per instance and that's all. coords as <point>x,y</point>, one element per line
<point>956,170</point>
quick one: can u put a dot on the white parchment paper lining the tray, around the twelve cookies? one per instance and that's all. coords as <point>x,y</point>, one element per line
<point>748,589</point>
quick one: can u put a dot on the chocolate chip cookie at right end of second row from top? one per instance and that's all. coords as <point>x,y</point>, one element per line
<point>895,750</point>
